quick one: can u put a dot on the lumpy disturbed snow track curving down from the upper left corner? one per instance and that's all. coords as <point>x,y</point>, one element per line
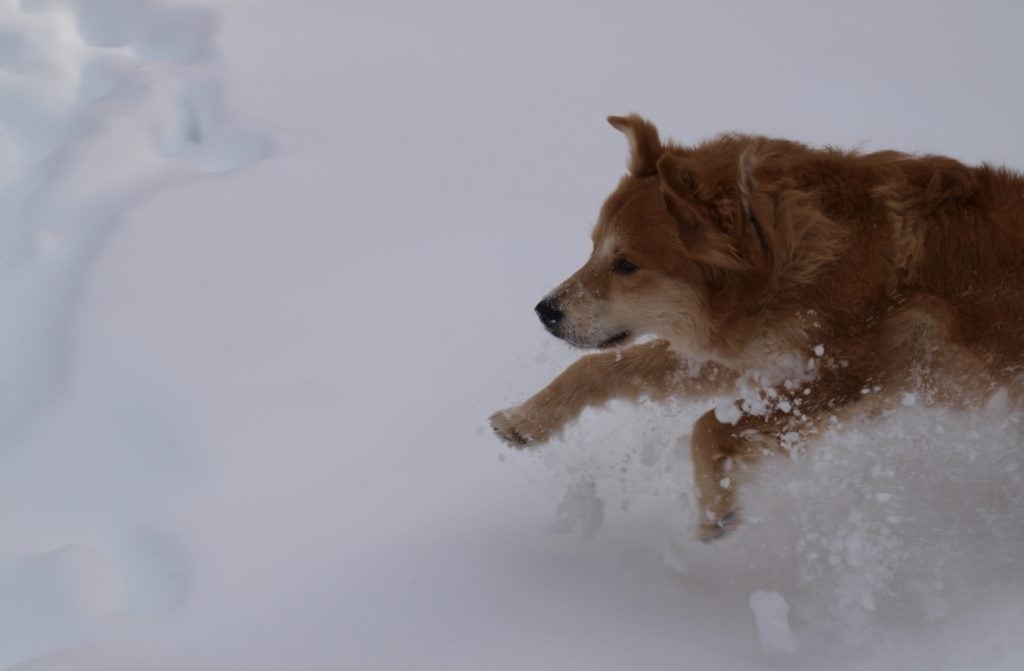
<point>102,104</point>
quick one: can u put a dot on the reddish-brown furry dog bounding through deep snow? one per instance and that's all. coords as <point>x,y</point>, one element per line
<point>798,286</point>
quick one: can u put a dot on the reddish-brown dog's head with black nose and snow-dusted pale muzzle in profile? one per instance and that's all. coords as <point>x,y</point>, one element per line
<point>669,244</point>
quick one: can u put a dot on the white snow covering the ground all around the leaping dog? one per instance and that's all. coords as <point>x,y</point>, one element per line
<point>267,268</point>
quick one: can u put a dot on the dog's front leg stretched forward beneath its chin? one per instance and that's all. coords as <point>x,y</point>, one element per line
<point>649,370</point>
